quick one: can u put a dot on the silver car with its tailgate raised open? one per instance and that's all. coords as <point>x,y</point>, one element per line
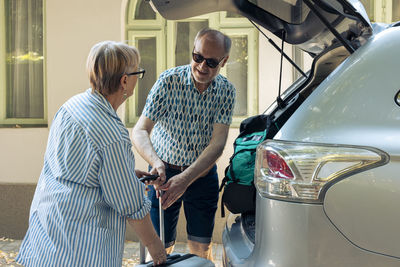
<point>328,181</point>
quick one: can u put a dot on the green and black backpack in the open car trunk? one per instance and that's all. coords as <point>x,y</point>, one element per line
<point>238,183</point>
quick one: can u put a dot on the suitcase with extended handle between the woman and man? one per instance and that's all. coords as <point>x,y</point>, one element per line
<point>174,259</point>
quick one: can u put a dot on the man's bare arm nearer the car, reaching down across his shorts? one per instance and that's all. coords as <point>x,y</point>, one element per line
<point>176,186</point>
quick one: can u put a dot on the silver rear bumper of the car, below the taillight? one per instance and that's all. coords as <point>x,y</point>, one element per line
<point>297,234</point>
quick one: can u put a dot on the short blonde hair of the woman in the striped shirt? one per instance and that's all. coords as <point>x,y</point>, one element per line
<point>107,62</point>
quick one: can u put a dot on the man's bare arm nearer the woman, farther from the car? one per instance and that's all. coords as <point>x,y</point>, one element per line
<point>141,141</point>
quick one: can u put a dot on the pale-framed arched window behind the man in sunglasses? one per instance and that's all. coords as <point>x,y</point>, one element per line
<point>165,44</point>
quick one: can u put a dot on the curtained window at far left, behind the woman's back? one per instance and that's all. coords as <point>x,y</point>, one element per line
<point>22,64</point>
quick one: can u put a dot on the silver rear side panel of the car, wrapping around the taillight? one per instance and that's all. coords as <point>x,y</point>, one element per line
<point>356,105</point>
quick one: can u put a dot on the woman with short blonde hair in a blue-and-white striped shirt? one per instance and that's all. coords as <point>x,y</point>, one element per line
<point>88,187</point>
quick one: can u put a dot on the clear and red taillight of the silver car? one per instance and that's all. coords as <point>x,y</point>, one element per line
<point>300,171</point>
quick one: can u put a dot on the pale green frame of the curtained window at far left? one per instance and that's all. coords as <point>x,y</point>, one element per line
<point>20,122</point>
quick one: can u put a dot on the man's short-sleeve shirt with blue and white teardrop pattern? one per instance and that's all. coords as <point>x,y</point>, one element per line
<point>185,117</point>
